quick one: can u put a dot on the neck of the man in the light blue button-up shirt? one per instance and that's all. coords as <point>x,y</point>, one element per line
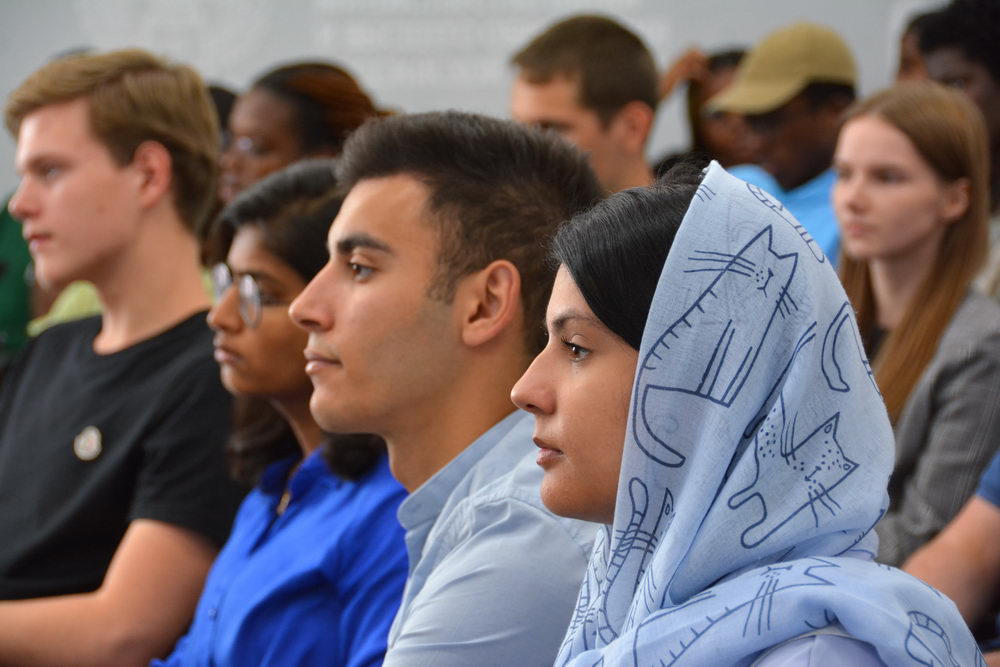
<point>442,426</point>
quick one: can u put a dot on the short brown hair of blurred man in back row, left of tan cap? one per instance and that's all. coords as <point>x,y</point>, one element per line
<point>613,65</point>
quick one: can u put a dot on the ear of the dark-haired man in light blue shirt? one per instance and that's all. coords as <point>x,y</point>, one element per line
<point>490,302</point>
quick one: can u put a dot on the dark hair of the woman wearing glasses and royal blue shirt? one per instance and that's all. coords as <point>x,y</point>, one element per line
<point>293,209</point>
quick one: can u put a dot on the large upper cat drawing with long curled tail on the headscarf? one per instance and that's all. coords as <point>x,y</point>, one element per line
<point>731,320</point>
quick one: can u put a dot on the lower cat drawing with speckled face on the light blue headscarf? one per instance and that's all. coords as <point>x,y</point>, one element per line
<point>791,477</point>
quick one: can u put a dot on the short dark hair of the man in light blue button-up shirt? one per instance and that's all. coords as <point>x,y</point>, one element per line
<point>498,190</point>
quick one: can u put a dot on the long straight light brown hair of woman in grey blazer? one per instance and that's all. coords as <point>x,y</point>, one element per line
<point>949,133</point>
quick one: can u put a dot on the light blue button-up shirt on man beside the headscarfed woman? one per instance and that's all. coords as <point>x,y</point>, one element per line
<point>493,574</point>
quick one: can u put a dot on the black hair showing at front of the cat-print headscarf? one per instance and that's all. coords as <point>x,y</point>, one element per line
<point>615,252</point>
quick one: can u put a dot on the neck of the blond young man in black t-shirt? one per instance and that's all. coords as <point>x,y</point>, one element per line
<point>150,286</point>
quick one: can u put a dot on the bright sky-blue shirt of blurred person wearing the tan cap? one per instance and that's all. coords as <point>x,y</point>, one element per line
<point>810,203</point>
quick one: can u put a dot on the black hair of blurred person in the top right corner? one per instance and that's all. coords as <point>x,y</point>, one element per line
<point>971,27</point>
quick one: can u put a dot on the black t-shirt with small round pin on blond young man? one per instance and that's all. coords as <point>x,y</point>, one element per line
<point>89,442</point>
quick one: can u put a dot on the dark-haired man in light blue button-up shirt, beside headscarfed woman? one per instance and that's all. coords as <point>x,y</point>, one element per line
<point>430,309</point>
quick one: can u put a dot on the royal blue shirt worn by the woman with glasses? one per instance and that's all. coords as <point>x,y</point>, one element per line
<point>316,585</point>
